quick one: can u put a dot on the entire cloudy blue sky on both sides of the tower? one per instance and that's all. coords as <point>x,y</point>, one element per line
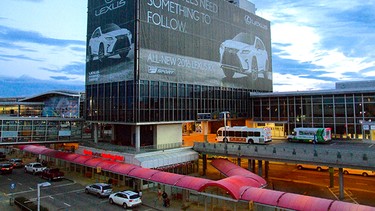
<point>314,44</point>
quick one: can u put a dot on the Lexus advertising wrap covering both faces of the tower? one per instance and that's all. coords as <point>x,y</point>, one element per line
<point>210,42</point>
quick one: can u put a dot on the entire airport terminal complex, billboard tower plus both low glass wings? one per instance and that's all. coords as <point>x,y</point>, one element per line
<point>154,72</point>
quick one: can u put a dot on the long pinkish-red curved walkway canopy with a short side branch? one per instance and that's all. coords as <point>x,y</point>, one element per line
<point>245,187</point>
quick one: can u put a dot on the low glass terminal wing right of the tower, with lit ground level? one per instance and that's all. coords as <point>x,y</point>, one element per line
<point>345,111</point>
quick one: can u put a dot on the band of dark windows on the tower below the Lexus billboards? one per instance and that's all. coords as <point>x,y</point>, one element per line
<point>161,101</point>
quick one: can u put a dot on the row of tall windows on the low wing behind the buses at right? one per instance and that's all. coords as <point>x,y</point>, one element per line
<point>343,113</point>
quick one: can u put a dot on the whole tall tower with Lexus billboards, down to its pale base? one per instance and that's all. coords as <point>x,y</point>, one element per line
<point>153,65</point>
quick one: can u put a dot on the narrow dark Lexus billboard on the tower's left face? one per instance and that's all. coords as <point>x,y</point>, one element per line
<point>110,41</point>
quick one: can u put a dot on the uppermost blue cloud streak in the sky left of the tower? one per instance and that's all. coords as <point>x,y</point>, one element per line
<point>12,35</point>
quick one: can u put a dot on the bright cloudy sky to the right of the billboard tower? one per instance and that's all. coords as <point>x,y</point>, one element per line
<point>326,40</point>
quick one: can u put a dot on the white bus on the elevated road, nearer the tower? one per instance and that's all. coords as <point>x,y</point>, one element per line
<point>243,134</point>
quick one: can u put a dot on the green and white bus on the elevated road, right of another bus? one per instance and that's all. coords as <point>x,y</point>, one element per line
<point>314,135</point>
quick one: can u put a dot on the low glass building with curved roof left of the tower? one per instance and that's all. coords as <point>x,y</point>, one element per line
<point>51,116</point>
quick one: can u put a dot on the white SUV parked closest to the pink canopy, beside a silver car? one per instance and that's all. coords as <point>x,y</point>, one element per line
<point>125,198</point>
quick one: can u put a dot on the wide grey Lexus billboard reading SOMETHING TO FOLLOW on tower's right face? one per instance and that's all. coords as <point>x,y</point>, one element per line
<point>211,42</point>
